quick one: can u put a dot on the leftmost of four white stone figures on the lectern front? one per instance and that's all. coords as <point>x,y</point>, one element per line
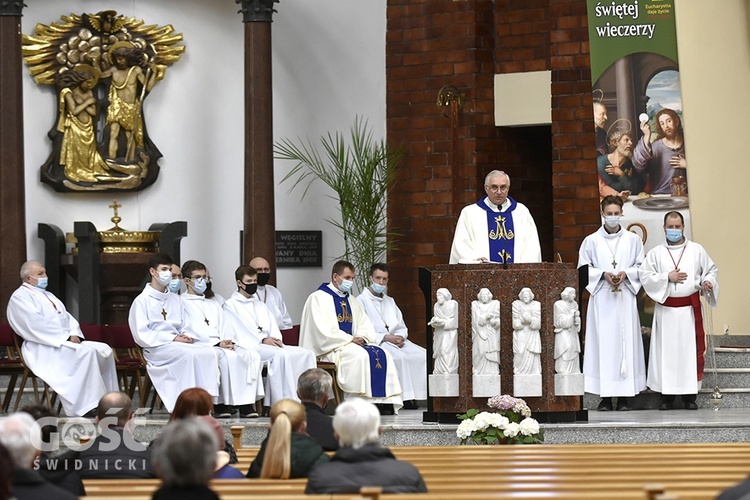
<point>445,335</point>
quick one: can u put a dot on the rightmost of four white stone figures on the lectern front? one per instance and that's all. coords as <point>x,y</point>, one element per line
<point>567,325</point>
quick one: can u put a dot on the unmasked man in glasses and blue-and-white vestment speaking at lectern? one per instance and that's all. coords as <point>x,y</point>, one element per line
<point>497,228</point>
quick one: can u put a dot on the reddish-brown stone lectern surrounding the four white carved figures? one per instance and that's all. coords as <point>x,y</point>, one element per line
<point>547,281</point>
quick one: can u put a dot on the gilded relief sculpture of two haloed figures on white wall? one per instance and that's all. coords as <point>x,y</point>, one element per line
<point>102,67</point>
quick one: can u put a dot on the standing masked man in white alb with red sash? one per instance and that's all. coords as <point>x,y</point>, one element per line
<point>675,275</point>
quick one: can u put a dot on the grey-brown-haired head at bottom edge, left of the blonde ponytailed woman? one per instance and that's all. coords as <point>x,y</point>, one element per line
<point>185,459</point>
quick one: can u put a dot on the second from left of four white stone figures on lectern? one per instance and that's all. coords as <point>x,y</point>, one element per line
<point>485,334</point>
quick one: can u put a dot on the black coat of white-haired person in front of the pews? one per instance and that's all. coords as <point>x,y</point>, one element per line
<point>370,465</point>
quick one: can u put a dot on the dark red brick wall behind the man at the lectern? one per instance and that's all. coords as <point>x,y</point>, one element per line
<point>463,43</point>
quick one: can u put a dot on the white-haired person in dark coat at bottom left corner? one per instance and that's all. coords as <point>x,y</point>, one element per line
<point>18,434</point>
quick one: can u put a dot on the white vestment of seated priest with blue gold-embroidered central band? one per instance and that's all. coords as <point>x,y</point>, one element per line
<point>320,332</point>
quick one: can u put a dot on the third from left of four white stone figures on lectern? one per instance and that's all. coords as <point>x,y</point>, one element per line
<point>527,341</point>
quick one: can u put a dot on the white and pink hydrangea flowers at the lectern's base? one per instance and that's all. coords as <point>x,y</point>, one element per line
<point>509,423</point>
